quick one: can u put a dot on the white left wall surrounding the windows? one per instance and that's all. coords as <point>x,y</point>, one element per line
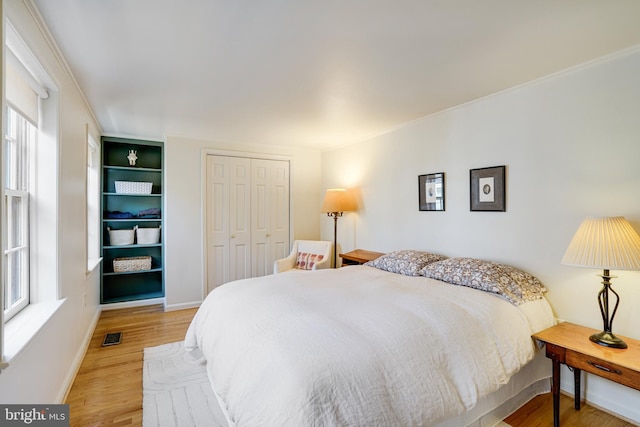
<point>44,369</point>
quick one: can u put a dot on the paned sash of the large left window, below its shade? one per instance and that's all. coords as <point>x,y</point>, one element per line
<point>20,137</point>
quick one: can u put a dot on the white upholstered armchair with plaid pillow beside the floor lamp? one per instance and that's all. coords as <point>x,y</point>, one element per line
<point>306,255</point>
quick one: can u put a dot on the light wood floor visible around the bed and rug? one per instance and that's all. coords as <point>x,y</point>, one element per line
<point>108,387</point>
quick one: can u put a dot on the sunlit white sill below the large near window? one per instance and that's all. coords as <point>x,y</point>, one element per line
<point>24,326</point>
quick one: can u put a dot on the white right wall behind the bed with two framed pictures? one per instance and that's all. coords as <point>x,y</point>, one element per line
<point>571,144</point>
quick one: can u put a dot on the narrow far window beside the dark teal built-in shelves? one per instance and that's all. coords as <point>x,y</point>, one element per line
<point>93,203</point>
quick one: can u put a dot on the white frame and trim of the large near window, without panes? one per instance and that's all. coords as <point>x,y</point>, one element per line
<point>44,178</point>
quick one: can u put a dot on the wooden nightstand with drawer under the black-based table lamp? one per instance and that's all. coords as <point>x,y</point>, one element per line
<point>569,344</point>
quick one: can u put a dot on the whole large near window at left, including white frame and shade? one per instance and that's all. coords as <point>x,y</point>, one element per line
<point>29,183</point>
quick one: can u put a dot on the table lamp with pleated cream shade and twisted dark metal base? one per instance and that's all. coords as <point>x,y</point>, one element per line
<point>607,244</point>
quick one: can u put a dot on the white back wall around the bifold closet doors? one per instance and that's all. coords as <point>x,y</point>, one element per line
<point>184,234</point>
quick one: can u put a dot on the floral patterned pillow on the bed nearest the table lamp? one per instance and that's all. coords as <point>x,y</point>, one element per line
<point>513,284</point>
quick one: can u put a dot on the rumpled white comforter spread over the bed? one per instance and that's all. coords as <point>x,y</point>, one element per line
<point>358,346</point>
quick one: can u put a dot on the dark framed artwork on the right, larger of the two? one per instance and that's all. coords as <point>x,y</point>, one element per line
<point>488,189</point>
